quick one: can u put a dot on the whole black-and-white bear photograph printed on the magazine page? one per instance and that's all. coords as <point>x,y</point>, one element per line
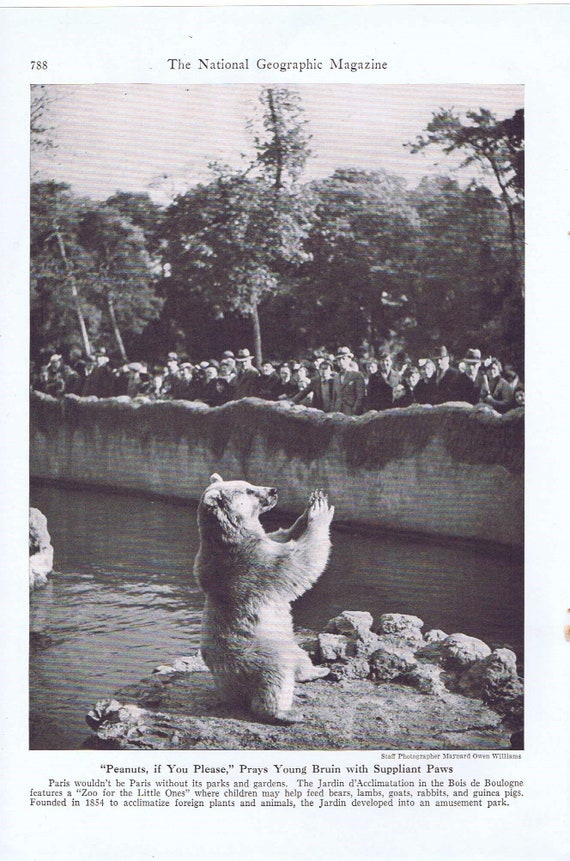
<point>300,303</point>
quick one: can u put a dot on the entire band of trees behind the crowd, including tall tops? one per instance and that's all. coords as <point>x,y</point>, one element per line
<point>355,258</point>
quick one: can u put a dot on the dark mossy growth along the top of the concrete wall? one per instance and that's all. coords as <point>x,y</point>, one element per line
<point>370,441</point>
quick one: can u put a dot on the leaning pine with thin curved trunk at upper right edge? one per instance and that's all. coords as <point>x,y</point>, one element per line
<point>498,146</point>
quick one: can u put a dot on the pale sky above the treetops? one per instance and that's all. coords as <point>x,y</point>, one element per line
<point>160,138</point>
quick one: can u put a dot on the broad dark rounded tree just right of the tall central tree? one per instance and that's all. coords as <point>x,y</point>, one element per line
<point>362,242</point>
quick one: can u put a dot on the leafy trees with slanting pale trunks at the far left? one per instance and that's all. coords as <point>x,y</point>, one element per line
<point>77,243</point>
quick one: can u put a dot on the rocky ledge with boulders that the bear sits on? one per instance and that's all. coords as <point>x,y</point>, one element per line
<point>389,688</point>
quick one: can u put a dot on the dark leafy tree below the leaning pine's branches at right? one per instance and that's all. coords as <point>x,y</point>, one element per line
<point>462,271</point>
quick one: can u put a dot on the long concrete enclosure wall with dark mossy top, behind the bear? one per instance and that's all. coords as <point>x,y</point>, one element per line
<point>449,470</point>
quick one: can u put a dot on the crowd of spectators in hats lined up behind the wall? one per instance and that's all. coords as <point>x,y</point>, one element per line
<point>332,382</point>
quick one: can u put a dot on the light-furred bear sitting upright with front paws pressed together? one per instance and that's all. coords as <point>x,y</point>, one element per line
<point>250,578</point>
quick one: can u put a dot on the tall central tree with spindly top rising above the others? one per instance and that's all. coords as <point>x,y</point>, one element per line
<point>237,240</point>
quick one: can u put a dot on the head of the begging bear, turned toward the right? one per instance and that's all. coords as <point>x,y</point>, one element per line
<point>230,507</point>
